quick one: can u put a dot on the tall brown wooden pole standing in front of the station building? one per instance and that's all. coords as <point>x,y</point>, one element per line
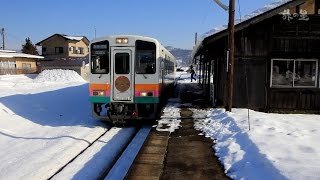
<point>231,54</point>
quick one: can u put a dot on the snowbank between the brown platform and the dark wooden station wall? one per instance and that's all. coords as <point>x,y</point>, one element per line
<point>277,146</point>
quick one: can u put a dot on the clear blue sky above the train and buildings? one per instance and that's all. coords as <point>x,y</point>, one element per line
<point>173,22</point>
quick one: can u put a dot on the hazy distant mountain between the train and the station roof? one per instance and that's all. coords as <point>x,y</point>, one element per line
<point>183,55</point>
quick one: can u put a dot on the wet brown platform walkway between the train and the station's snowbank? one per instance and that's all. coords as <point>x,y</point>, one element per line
<point>181,153</point>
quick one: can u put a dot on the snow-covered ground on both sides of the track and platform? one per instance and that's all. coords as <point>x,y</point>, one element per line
<point>45,120</point>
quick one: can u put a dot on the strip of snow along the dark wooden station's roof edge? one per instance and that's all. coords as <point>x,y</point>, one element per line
<point>268,7</point>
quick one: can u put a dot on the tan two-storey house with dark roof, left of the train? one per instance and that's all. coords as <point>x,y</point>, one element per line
<point>65,52</point>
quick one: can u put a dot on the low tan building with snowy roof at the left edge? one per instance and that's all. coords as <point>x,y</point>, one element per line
<point>12,62</point>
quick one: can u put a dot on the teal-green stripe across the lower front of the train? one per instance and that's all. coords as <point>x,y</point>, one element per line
<point>142,100</point>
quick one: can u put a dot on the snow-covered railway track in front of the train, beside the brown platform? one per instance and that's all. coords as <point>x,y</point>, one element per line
<point>104,156</point>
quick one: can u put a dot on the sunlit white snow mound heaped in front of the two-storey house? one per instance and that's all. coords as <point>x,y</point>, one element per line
<point>59,75</point>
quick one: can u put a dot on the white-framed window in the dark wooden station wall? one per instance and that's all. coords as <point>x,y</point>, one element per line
<point>294,73</point>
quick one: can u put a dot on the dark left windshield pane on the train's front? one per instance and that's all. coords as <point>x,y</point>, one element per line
<point>100,58</point>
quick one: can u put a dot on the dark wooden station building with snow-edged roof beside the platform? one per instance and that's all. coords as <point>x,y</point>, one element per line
<point>276,62</point>
